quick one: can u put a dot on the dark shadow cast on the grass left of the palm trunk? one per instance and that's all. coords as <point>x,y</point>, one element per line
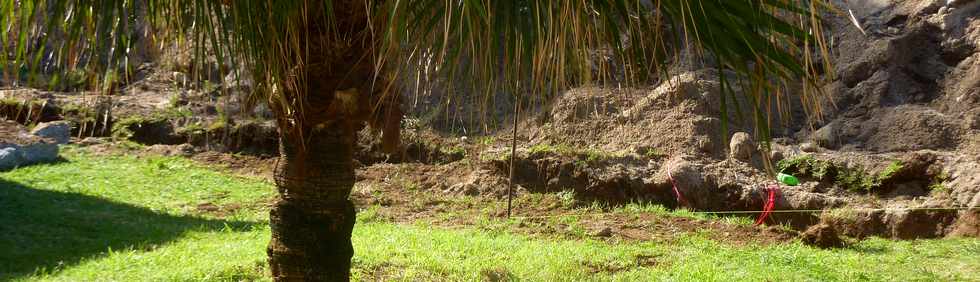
<point>41,229</point>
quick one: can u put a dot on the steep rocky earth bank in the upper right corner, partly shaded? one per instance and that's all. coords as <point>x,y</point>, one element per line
<point>911,82</point>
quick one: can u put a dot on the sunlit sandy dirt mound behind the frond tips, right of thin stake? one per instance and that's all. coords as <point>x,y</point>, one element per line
<point>679,117</point>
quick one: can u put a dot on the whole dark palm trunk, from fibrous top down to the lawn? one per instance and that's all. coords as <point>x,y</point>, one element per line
<point>313,217</point>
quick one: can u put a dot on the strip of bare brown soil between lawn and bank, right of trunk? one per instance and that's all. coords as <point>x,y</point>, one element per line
<point>408,193</point>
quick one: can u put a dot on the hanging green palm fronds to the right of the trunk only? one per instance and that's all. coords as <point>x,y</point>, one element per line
<point>541,47</point>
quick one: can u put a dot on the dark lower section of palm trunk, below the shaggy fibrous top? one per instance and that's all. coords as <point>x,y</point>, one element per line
<point>312,219</point>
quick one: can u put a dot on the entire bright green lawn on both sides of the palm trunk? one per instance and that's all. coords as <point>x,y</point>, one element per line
<point>137,219</point>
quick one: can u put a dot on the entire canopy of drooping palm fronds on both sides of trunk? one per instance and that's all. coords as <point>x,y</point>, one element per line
<point>524,47</point>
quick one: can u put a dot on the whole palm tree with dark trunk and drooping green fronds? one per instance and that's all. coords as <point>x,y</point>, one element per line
<point>326,67</point>
